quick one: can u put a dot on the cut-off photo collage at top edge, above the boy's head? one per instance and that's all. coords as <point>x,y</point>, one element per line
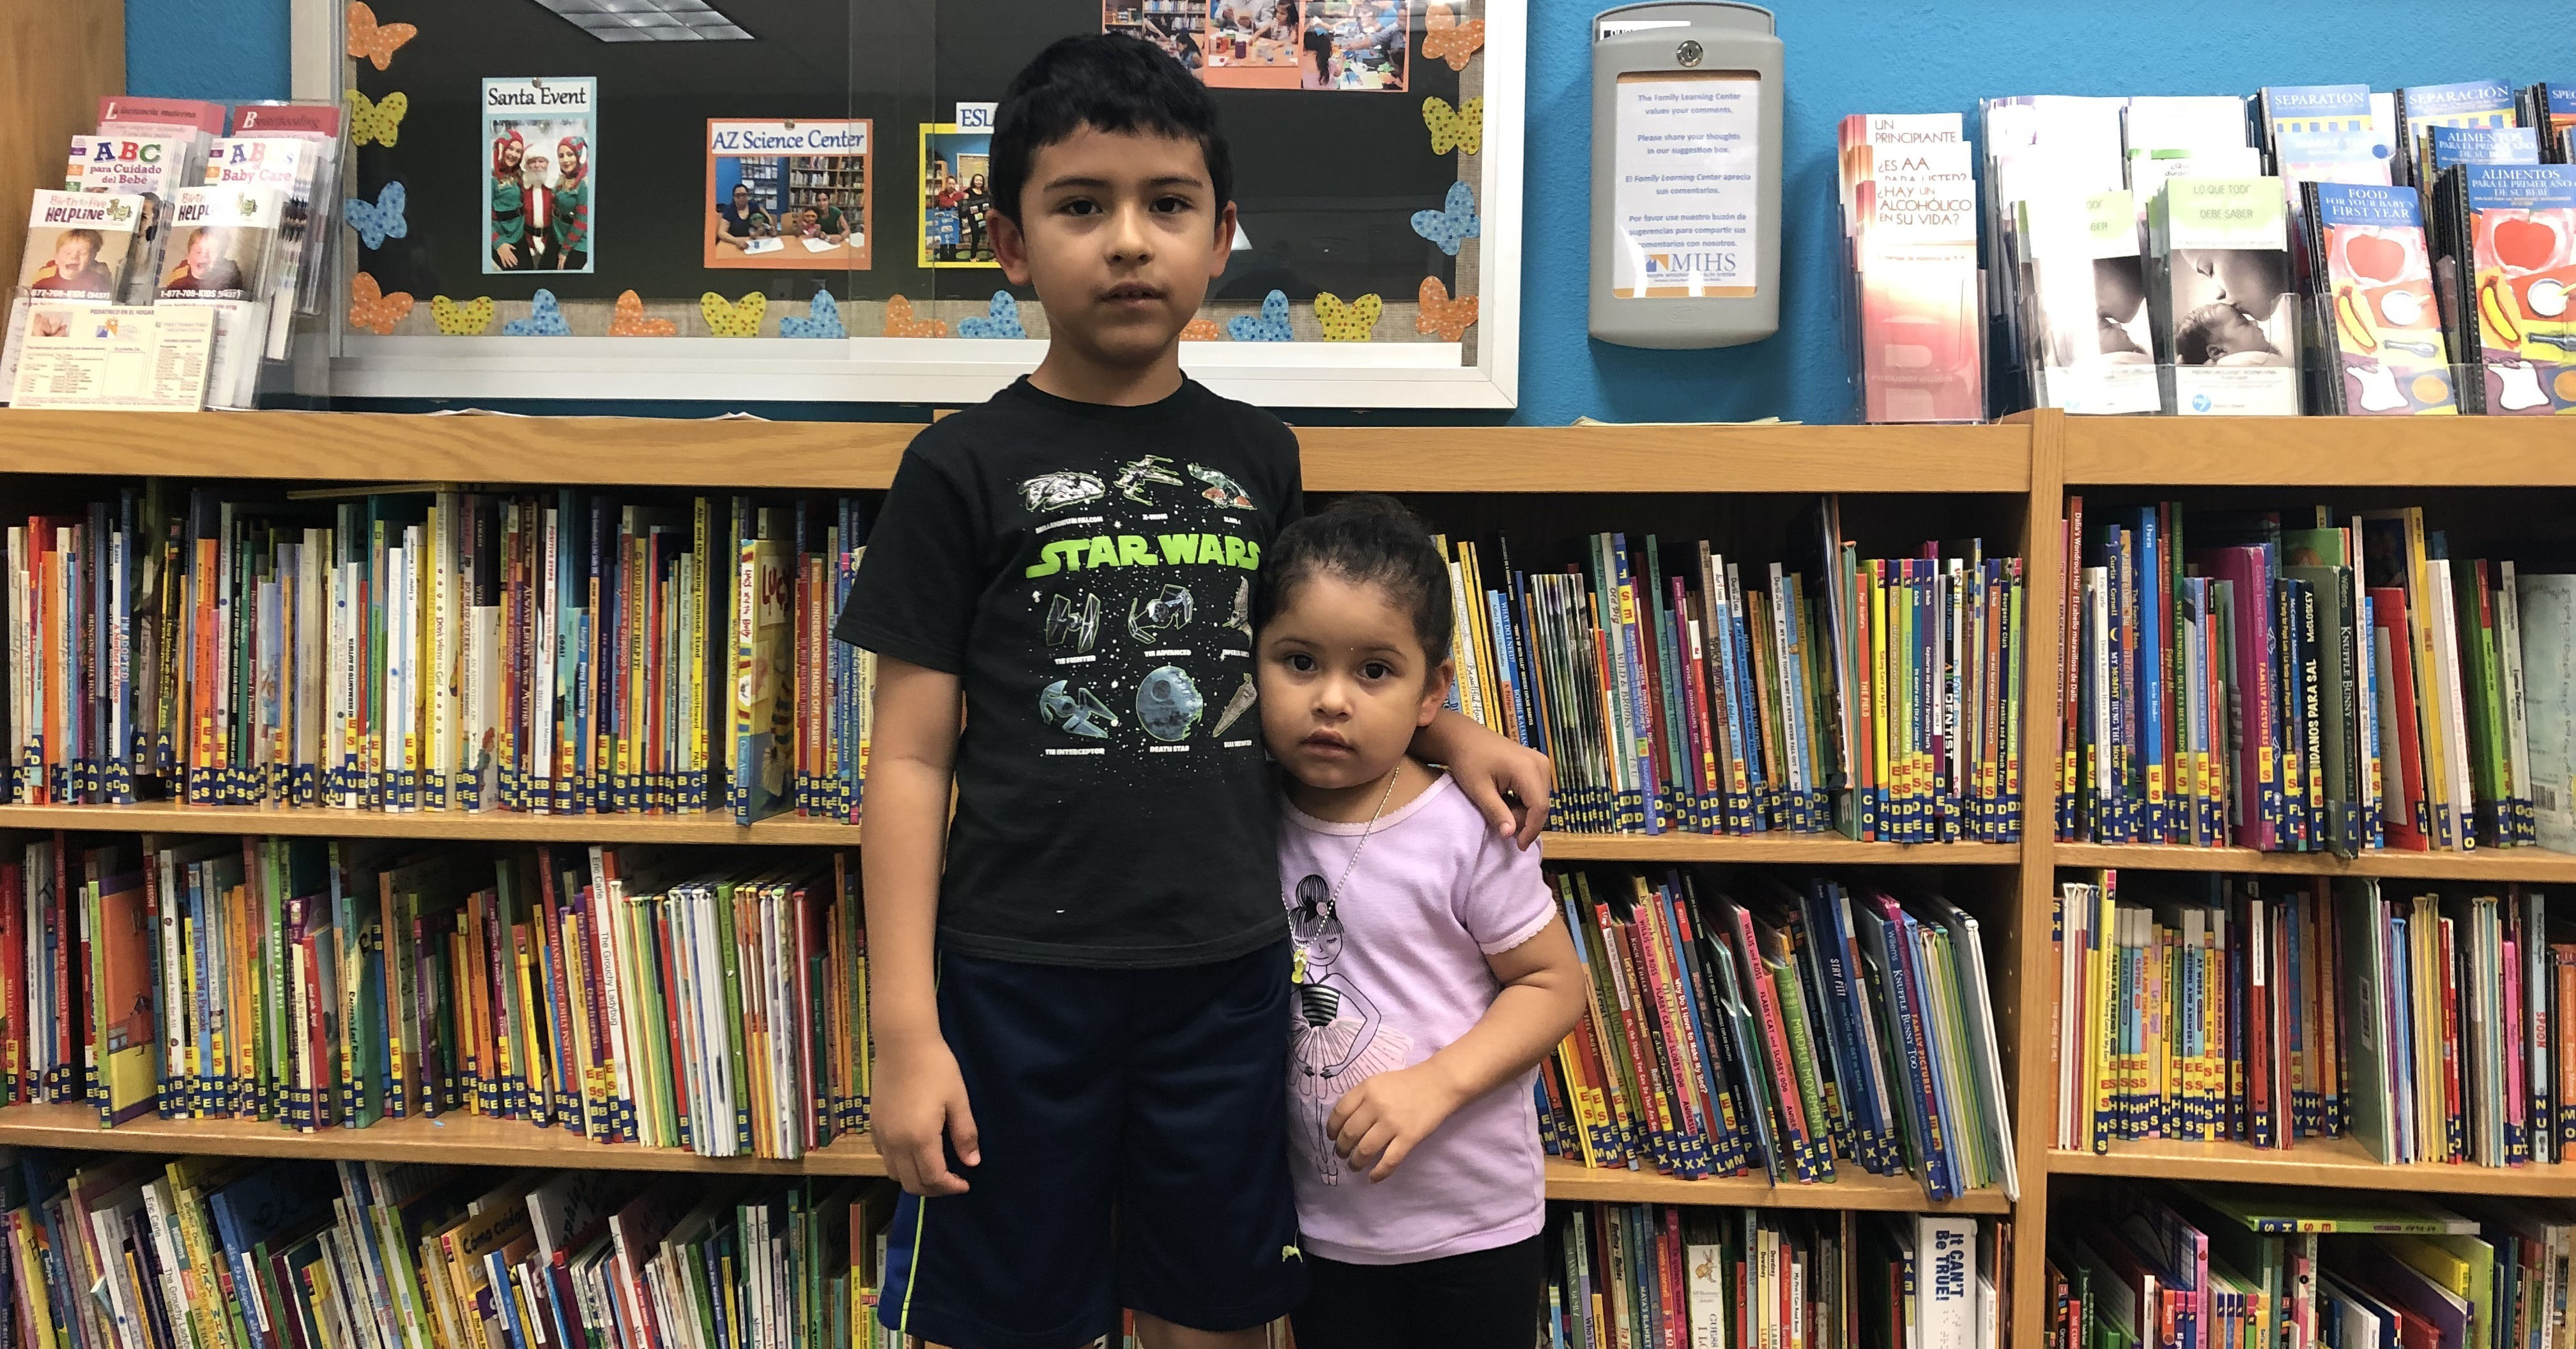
<point>1276,45</point>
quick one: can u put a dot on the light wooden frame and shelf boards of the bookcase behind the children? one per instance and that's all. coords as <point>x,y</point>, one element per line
<point>2016,472</point>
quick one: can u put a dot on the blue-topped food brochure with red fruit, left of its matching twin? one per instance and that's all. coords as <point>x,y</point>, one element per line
<point>2376,308</point>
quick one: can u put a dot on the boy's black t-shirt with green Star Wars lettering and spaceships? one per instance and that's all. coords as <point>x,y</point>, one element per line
<point>1088,575</point>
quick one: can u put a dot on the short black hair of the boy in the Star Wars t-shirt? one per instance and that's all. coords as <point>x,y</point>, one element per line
<point>1112,84</point>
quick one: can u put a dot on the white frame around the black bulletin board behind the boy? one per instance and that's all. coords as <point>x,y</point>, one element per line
<point>949,372</point>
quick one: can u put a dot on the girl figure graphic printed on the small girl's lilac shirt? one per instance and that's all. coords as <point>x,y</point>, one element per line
<point>1338,1036</point>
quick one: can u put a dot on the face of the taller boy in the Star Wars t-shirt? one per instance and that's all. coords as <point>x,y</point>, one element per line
<point>1119,233</point>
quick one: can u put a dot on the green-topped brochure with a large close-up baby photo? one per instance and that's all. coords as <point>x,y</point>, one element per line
<point>2227,308</point>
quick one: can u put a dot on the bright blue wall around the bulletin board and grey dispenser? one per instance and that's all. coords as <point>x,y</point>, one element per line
<point>1843,58</point>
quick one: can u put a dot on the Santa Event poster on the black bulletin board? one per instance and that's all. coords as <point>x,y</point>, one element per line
<point>542,135</point>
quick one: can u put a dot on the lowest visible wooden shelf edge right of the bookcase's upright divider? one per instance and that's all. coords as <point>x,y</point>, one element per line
<point>2322,1162</point>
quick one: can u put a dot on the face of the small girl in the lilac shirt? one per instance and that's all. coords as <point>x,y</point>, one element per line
<point>1343,684</point>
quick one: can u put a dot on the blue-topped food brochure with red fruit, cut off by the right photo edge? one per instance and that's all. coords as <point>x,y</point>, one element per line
<point>2510,238</point>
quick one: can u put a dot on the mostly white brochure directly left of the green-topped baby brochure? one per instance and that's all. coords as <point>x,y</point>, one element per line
<point>2088,279</point>
